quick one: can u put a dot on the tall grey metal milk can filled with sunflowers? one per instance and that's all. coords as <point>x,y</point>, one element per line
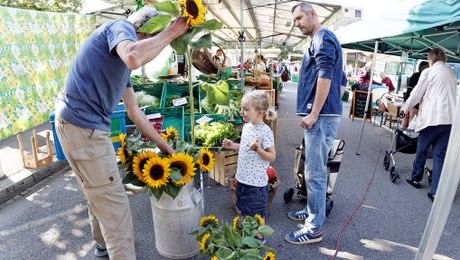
<point>176,204</point>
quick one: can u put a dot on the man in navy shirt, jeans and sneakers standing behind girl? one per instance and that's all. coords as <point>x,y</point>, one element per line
<point>319,104</point>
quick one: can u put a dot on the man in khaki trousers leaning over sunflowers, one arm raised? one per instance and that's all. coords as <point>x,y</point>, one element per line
<point>98,78</point>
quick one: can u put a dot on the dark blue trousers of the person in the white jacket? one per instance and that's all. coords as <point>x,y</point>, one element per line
<point>438,136</point>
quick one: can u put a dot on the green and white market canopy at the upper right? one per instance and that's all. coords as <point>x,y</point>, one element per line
<point>411,29</point>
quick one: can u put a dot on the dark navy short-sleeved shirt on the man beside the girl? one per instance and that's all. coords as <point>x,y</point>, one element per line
<point>323,59</point>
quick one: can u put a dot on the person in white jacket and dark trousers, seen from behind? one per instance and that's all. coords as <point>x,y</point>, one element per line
<point>435,94</point>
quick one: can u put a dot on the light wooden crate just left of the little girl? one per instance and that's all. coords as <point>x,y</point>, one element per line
<point>224,166</point>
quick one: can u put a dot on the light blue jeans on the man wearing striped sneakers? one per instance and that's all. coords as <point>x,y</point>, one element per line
<point>318,142</point>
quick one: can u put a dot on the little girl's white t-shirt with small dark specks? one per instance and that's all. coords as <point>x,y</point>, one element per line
<point>252,169</point>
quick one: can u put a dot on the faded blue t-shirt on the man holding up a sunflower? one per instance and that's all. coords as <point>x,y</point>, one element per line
<point>97,78</point>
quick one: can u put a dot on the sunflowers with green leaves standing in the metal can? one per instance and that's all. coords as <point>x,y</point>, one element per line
<point>146,167</point>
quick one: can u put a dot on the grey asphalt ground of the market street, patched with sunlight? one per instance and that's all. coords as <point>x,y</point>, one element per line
<point>50,220</point>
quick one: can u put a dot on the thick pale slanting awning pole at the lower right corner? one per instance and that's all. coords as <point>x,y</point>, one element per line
<point>445,194</point>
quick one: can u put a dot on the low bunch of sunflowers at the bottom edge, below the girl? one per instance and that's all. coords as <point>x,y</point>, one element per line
<point>236,241</point>
